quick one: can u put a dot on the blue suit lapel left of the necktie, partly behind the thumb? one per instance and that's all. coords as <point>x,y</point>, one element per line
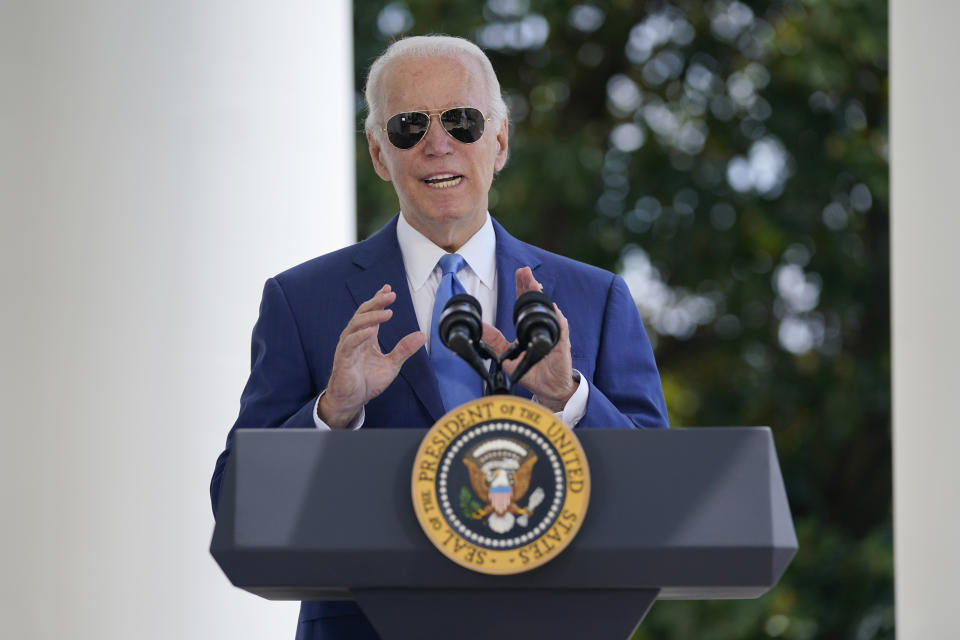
<point>381,263</point>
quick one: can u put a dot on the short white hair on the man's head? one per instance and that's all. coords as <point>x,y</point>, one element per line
<point>428,47</point>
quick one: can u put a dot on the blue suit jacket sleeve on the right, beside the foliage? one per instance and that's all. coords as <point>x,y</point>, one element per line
<point>625,391</point>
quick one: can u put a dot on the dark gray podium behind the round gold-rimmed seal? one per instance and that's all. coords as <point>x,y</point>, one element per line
<point>678,514</point>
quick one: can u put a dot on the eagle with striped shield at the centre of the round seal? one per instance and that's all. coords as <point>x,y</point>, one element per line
<point>500,471</point>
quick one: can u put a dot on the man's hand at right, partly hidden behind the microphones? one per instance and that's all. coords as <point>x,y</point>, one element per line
<point>551,379</point>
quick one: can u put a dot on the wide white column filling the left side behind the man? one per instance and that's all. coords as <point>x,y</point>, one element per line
<point>158,161</point>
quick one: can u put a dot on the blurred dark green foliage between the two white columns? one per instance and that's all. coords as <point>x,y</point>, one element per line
<point>730,160</point>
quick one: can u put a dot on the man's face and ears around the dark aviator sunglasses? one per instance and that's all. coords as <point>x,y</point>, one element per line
<point>446,209</point>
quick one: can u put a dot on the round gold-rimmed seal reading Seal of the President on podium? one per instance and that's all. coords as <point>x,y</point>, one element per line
<point>500,485</point>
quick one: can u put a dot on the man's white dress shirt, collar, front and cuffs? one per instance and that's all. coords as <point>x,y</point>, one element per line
<point>479,279</point>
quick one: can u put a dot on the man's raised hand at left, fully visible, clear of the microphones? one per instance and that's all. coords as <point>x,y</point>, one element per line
<point>361,371</point>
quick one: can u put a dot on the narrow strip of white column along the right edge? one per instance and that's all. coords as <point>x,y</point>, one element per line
<point>925,111</point>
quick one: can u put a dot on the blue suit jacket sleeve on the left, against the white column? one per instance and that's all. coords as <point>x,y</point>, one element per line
<point>280,392</point>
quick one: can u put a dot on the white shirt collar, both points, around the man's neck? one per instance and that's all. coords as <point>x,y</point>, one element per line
<point>420,255</point>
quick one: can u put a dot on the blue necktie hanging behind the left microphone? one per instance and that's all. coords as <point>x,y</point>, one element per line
<point>457,381</point>
